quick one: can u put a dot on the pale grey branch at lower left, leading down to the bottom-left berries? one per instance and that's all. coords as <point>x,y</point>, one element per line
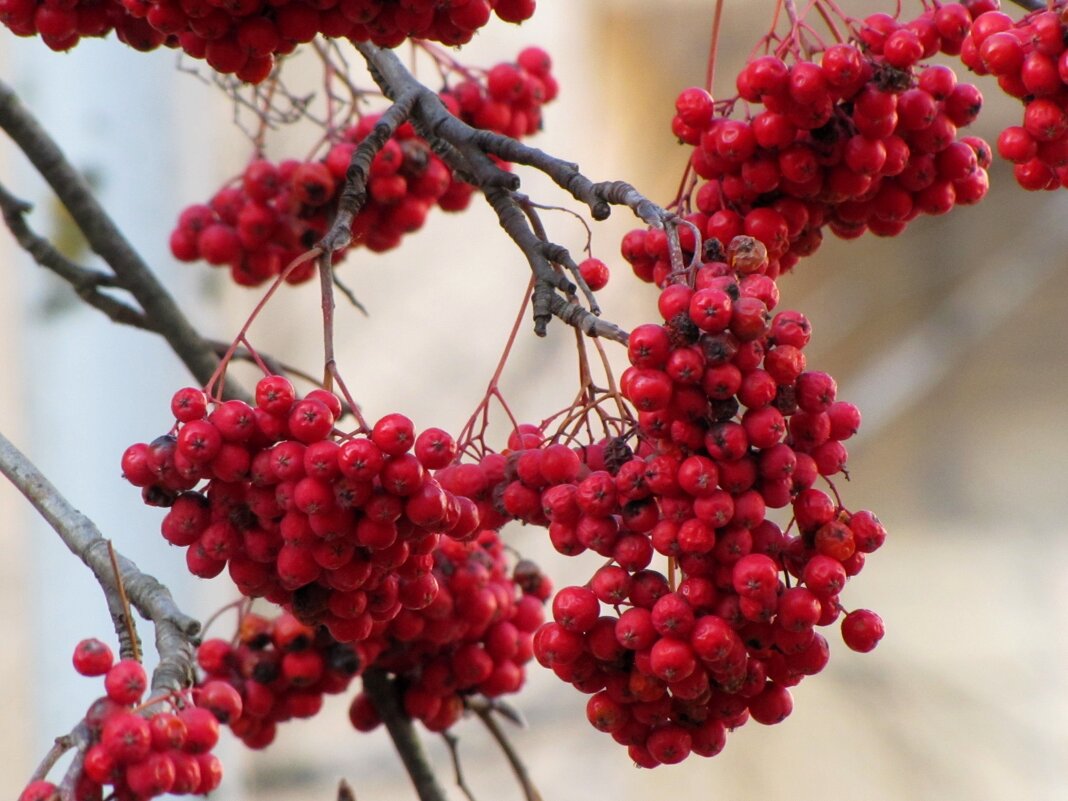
<point>176,632</point>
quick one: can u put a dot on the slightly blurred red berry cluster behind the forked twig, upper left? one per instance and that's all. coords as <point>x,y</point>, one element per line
<point>278,212</point>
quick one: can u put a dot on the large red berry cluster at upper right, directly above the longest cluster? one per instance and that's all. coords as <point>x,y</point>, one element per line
<point>867,140</point>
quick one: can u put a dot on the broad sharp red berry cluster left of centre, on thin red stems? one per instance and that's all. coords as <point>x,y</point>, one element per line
<point>339,530</point>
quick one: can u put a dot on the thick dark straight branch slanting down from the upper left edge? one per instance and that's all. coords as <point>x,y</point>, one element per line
<point>133,274</point>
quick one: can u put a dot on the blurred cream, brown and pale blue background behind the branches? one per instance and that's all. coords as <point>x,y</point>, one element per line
<point>951,339</point>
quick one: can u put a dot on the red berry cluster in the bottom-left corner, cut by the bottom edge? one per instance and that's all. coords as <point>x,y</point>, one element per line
<point>139,751</point>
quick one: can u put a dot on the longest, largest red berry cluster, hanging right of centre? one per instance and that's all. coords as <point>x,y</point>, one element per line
<point>731,425</point>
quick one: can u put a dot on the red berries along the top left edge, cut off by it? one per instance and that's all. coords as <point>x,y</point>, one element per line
<point>245,38</point>
